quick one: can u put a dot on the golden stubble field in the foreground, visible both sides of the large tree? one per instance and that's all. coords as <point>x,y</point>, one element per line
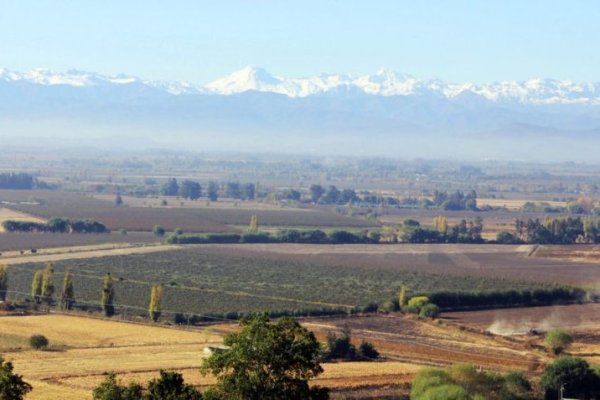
<point>83,349</point>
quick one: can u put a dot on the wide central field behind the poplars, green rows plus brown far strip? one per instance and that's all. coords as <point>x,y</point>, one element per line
<point>208,279</point>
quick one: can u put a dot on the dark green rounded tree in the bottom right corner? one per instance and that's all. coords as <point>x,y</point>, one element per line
<point>573,375</point>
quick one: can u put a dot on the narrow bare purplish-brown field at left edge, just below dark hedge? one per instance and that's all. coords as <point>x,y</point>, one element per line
<point>30,240</point>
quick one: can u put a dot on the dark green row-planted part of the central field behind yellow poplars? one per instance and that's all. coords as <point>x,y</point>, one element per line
<point>230,278</point>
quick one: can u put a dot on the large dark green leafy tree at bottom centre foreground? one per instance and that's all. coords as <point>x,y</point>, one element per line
<point>266,360</point>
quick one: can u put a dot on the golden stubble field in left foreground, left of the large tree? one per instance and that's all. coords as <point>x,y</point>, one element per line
<point>87,348</point>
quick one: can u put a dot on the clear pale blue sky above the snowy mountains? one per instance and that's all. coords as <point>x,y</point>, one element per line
<point>198,41</point>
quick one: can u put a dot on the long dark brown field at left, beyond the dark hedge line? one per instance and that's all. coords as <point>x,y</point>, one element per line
<point>193,219</point>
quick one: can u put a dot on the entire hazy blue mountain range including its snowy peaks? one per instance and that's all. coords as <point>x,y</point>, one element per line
<point>385,112</point>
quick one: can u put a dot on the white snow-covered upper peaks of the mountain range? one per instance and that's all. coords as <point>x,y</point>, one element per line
<point>382,83</point>
